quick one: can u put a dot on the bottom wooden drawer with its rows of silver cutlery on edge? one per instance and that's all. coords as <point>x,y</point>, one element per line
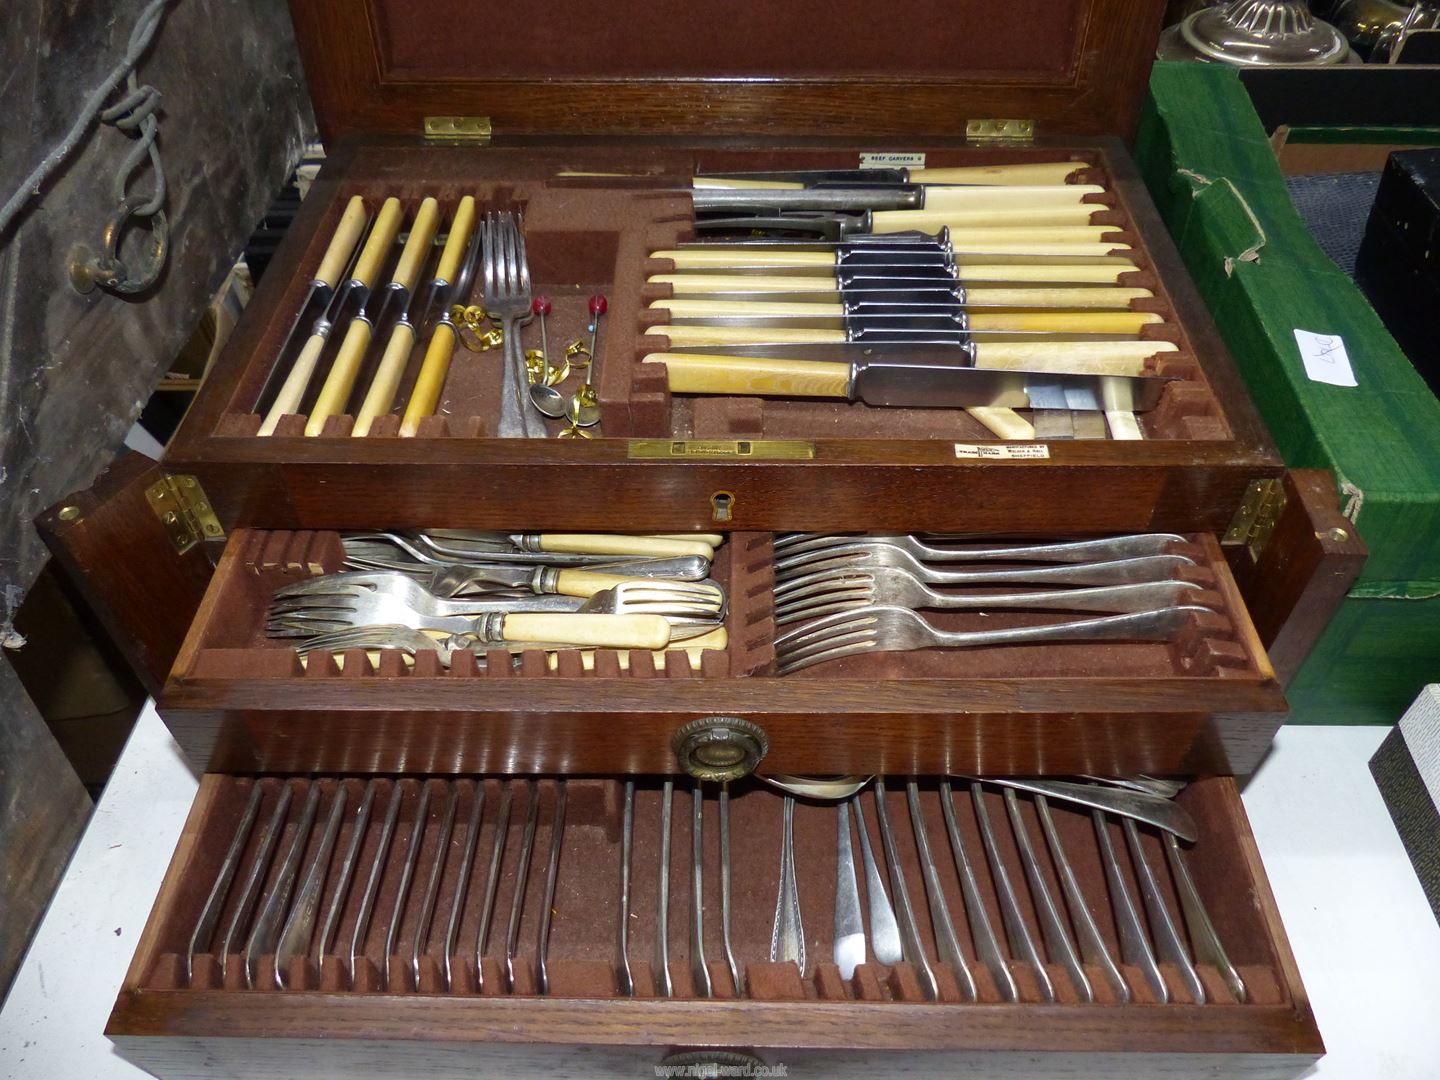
<point>247,968</point>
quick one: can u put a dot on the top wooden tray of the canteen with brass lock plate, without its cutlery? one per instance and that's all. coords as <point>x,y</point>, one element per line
<point>771,457</point>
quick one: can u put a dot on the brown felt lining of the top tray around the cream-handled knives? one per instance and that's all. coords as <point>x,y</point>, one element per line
<point>591,235</point>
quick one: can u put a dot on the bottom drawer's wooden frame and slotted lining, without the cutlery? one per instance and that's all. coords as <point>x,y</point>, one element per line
<point>778,1014</point>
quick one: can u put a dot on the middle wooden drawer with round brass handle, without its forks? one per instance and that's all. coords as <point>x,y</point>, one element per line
<point>1203,702</point>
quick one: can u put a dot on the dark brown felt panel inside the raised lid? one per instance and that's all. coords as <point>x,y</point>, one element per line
<point>800,40</point>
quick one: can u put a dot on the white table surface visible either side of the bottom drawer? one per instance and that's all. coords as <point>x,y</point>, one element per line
<point>1367,944</point>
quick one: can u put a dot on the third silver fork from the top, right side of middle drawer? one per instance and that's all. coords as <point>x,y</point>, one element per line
<point>888,585</point>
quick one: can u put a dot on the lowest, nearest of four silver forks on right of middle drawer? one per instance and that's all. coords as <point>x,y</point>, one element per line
<point>901,630</point>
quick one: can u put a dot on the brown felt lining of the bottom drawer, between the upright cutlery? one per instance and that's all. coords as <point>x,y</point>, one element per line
<point>582,951</point>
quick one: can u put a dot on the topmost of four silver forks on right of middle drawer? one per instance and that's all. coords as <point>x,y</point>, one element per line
<point>801,548</point>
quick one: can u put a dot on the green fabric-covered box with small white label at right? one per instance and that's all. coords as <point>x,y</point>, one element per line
<point>1213,175</point>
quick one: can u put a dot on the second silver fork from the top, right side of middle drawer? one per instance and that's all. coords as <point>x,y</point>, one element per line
<point>801,581</point>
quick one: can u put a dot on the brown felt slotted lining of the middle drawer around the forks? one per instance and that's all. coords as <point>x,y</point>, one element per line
<point>231,642</point>
